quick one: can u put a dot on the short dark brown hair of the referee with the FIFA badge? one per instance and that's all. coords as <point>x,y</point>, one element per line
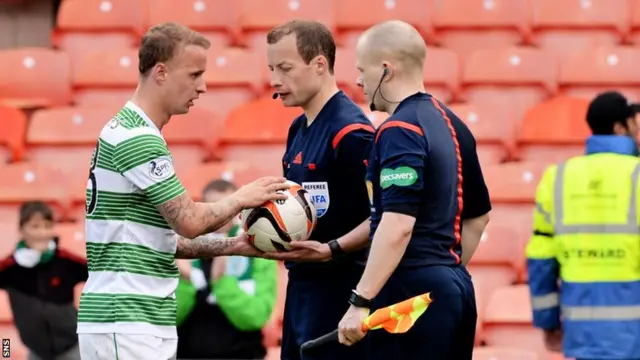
<point>312,39</point>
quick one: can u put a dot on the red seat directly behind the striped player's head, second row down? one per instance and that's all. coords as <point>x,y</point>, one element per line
<point>106,76</point>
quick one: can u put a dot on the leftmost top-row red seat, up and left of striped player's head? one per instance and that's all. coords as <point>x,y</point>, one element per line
<point>89,25</point>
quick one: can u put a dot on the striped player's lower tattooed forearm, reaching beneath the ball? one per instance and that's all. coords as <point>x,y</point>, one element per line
<point>205,246</point>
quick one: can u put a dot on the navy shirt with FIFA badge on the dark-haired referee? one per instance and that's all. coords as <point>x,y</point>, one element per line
<point>328,159</point>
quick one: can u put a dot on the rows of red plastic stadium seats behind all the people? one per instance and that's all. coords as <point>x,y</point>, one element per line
<point>519,73</point>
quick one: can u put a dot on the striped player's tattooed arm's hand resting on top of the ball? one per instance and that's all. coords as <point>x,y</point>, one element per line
<point>260,191</point>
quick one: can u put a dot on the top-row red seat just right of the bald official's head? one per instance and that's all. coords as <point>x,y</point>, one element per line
<point>482,25</point>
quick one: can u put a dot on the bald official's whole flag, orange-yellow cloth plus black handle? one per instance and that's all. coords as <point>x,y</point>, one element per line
<point>396,319</point>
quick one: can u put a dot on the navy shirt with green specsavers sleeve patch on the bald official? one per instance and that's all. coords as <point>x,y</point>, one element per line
<point>424,164</point>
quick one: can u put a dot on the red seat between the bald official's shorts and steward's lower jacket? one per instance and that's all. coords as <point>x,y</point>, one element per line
<point>508,320</point>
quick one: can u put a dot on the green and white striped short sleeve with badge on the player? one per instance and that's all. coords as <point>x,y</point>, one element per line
<point>146,162</point>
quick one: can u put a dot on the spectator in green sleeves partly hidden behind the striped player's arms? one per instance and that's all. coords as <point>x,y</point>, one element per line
<point>223,303</point>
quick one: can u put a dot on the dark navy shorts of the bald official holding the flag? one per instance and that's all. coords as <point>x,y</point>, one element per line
<point>446,330</point>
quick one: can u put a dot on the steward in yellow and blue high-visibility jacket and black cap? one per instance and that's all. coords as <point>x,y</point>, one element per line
<point>583,256</point>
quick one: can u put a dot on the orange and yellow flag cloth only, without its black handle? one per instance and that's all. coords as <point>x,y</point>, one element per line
<point>400,317</point>
